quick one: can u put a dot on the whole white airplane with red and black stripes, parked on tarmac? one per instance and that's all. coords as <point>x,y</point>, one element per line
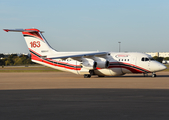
<point>88,63</point>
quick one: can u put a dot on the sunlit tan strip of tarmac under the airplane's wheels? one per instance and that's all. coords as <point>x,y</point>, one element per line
<point>65,80</point>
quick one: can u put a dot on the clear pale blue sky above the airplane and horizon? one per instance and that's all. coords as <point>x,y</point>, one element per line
<point>87,25</point>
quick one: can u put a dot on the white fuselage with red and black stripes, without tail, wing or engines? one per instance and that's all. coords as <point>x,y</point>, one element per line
<point>119,64</point>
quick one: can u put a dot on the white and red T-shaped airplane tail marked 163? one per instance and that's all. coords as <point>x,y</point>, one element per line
<point>35,41</point>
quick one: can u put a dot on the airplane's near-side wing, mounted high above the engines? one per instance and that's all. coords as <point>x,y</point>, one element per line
<point>81,55</point>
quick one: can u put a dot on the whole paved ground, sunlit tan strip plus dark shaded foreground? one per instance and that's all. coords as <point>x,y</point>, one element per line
<point>64,96</point>
